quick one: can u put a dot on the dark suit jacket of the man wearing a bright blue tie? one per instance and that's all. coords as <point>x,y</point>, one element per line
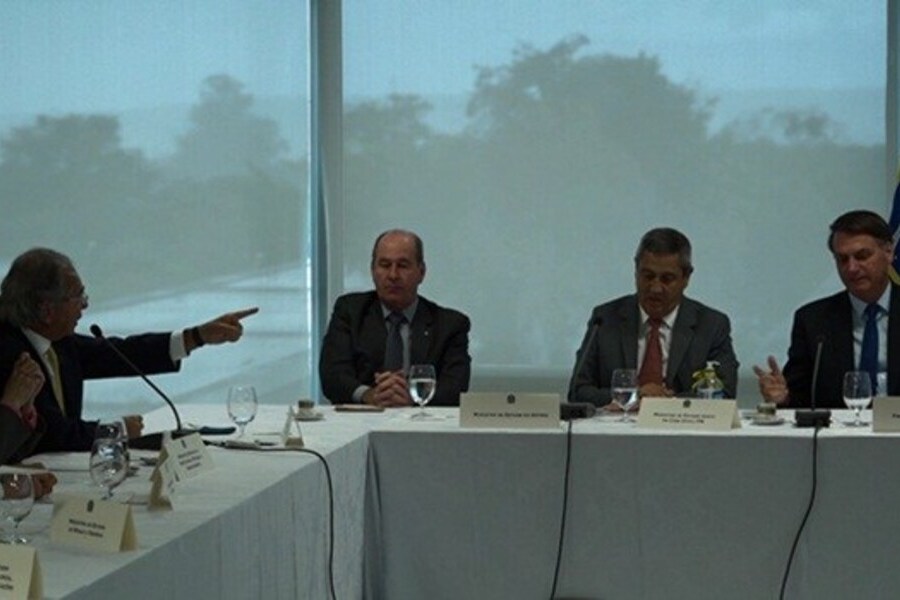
<point>831,321</point>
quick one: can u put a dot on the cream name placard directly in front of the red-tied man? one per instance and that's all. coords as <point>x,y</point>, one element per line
<point>688,413</point>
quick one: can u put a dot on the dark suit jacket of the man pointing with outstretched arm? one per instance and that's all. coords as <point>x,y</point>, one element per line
<point>80,357</point>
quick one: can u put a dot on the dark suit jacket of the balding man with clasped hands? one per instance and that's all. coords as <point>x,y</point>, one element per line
<point>353,348</point>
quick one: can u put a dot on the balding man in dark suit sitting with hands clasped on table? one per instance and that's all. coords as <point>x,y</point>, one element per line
<point>359,361</point>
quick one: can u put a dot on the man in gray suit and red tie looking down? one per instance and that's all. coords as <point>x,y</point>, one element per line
<point>669,337</point>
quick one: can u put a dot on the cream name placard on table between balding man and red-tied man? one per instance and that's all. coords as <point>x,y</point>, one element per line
<point>516,411</point>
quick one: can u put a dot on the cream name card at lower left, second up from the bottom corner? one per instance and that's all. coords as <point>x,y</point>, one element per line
<point>93,524</point>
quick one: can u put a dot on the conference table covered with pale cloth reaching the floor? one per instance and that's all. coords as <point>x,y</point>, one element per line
<point>425,509</point>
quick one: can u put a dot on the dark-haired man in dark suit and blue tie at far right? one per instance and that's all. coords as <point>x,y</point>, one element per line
<point>862,246</point>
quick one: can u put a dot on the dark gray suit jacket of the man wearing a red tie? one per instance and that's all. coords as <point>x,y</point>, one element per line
<point>700,334</point>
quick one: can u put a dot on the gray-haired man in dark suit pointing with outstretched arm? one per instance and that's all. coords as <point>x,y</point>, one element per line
<point>41,300</point>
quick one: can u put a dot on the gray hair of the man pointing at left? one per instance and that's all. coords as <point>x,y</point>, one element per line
<point>35,277</point>
